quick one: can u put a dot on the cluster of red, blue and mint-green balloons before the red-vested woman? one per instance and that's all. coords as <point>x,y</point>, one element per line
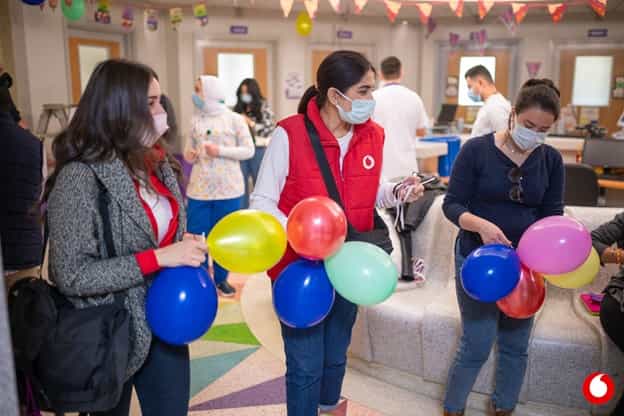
<point>362,273</point>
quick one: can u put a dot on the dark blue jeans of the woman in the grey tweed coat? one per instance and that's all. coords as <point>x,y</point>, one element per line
<point>162,384</point>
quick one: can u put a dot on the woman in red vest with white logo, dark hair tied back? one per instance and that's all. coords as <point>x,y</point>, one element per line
<point>339,107</point>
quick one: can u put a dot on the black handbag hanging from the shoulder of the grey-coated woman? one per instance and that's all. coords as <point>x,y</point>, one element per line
<point>69,359</point>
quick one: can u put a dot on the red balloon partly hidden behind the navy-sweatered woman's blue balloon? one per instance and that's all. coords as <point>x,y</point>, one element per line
<point>527,298</point>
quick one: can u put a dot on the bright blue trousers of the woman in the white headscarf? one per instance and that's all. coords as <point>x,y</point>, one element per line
<point>204,215</point>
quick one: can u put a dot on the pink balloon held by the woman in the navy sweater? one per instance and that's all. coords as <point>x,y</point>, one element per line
<point>555,245</point>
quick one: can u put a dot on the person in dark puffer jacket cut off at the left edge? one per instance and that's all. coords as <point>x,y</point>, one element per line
<point>21,175</point>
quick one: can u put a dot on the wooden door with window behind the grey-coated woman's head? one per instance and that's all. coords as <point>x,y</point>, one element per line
<point>84,55</point>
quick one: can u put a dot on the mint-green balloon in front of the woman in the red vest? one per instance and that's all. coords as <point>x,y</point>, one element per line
<point>362,273</point>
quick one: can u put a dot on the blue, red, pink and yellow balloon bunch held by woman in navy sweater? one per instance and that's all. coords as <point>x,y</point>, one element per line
<point>557,249</point>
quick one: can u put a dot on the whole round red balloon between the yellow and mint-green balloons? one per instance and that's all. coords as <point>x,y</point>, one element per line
<point>317,228</point>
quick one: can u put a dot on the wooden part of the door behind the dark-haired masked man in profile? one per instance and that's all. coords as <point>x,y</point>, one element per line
<point>501,78</point>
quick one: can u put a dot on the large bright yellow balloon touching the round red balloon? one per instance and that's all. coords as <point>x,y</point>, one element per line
<point>247,242</point>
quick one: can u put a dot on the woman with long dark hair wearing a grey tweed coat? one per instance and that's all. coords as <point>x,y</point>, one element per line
<point>113,144</point>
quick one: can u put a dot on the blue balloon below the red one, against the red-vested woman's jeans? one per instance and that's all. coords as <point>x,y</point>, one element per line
<point>303,294</point>
